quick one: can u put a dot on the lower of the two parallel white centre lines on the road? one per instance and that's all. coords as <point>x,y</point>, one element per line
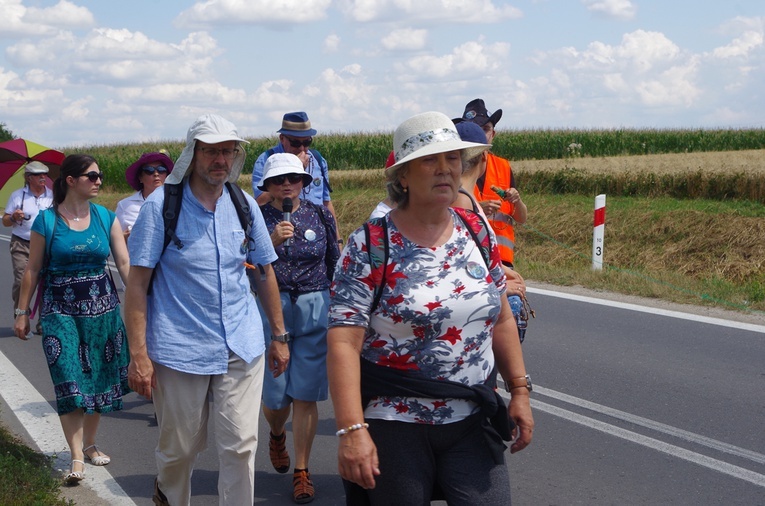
<point>675,451</point>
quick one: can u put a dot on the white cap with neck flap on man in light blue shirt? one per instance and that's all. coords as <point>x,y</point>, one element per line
<point>211,129</point>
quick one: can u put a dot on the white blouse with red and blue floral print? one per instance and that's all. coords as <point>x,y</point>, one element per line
<point>436,315</point>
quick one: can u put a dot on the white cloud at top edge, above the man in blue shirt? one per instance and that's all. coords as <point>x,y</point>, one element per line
<point>258,12</point>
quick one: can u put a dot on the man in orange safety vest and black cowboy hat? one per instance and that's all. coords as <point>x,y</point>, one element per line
<point>502,212</point>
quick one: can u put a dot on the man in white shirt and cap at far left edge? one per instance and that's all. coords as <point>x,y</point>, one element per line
<point>23,206</point>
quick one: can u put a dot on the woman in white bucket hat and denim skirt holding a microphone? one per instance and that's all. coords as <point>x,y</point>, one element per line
<point>304,236</point>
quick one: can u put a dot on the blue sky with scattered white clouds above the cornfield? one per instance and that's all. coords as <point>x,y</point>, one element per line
<point>78,72</point>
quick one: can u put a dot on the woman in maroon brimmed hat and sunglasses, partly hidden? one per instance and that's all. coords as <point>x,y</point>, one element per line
<point>145,175</point>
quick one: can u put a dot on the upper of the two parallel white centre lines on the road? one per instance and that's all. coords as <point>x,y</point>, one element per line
<point>657,426</point>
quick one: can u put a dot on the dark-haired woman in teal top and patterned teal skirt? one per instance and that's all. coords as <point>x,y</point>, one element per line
<point>84,338</point>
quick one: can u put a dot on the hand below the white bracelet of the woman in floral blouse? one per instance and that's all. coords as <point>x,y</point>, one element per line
<point>357,458</point>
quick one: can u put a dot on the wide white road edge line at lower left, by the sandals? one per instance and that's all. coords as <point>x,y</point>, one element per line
<point>42,423</point>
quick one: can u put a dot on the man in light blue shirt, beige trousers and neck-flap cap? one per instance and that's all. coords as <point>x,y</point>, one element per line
<point>196,342</point>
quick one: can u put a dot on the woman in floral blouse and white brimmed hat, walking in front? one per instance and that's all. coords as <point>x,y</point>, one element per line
<point>413,374</point>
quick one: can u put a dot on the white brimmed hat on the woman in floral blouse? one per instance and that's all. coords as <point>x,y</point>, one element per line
<point>426,134</point>
